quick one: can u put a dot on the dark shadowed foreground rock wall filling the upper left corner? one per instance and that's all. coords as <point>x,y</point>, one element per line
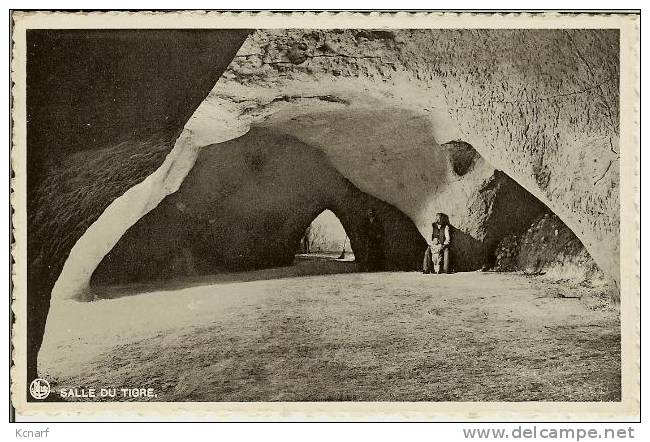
<point>103,111</point>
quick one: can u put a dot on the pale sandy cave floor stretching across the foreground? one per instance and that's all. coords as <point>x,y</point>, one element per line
<point>389,336</point>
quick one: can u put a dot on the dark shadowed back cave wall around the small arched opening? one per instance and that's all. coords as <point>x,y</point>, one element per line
<point>246,204</point>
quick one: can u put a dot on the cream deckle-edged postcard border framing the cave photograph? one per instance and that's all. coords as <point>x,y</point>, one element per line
<point>459,411</point>
